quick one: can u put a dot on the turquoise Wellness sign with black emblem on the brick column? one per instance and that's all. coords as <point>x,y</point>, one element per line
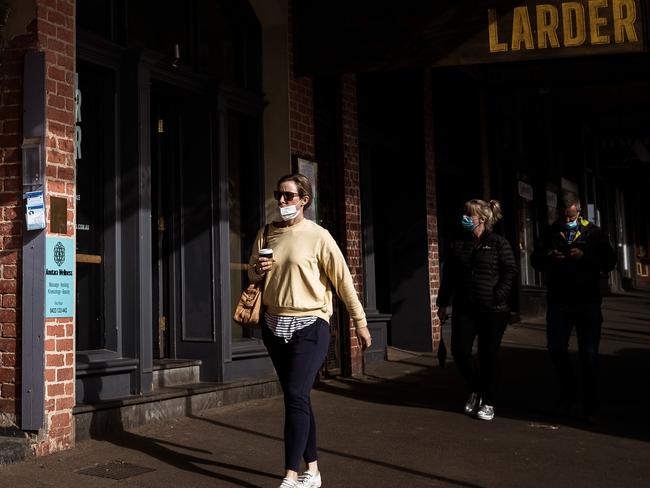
<point>59,277</point>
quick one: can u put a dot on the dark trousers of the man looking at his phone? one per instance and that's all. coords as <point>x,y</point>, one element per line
<point>587,319</point>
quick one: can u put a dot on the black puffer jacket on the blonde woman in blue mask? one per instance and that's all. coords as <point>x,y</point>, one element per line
<point>478,274</point>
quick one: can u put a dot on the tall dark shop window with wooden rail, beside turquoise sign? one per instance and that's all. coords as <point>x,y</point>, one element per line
<point>95,199</point>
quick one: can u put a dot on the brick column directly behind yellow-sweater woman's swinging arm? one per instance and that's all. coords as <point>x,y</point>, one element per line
<point>353,245</point>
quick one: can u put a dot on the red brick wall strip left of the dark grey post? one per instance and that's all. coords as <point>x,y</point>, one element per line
<point>11,212</point>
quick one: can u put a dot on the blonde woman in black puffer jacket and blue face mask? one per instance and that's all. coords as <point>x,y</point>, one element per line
<point>477,278</point>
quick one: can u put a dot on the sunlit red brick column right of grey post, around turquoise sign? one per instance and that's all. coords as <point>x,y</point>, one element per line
<point>56,37</point>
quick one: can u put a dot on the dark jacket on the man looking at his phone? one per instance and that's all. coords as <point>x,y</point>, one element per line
<point>574,280</point>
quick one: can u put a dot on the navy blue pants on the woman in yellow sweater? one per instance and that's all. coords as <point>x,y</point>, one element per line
<point>297,363</point>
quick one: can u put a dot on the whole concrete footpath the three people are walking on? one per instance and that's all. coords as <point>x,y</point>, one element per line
<point>401,426</point>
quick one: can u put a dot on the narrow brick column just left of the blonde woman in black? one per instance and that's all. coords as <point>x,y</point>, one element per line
<point>432,212</point>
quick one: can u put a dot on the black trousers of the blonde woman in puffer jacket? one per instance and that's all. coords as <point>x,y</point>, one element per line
<point>489,327</point>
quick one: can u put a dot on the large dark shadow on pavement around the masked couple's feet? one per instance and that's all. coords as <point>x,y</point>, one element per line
<point>528,388</point>
